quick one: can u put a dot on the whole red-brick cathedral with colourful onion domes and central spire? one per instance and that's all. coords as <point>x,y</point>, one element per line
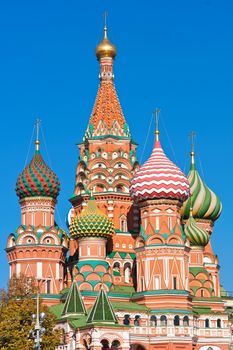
<point>135,269</point>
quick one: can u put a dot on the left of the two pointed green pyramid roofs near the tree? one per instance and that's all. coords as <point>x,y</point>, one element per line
<point>74,304</point>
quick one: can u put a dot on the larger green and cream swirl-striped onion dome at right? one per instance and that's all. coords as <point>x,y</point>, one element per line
<point>205,203</point>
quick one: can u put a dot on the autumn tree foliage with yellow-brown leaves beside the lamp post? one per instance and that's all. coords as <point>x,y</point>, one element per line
<point>16,308</point>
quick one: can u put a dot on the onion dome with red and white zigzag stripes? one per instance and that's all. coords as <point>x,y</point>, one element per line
<point>159,178</point>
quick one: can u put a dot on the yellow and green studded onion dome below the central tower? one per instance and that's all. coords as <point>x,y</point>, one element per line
<point>92,222</point>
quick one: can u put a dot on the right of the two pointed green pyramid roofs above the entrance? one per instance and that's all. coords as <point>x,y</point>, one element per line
<point>102,310</point>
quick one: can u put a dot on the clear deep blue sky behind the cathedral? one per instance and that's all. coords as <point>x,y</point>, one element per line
<point>176,55</point>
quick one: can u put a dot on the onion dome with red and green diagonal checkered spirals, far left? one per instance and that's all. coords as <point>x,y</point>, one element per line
<point>37,179</point>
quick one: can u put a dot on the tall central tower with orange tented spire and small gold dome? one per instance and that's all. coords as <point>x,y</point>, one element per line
<point>107,160</point>
